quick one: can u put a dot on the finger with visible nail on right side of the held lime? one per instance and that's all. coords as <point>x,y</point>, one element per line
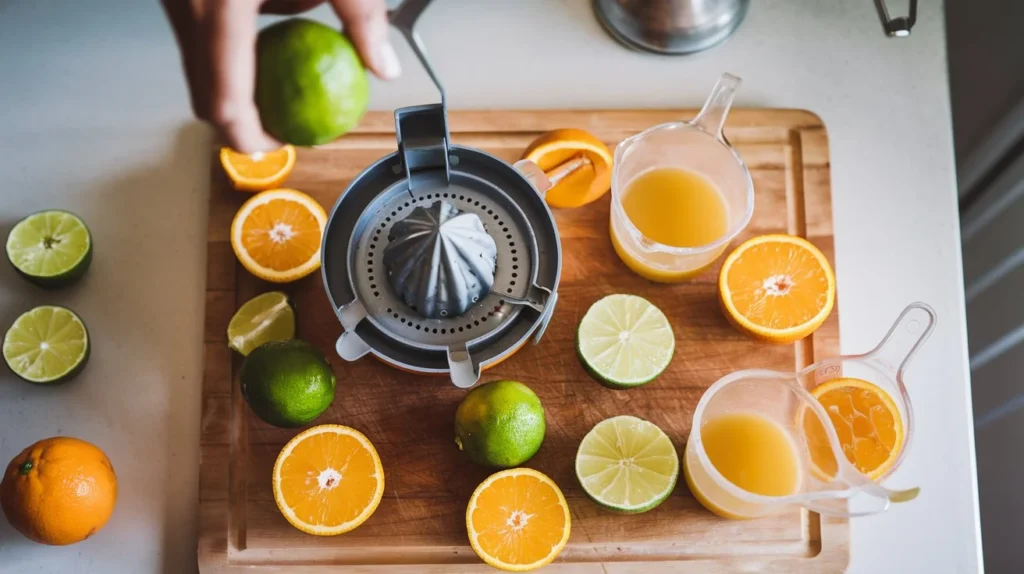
<point>366,23</point>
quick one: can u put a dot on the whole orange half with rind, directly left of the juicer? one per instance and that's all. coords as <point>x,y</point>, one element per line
<point>277,235</point>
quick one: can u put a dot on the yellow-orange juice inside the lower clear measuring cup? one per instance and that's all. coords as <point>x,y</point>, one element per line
<point>752,453</point>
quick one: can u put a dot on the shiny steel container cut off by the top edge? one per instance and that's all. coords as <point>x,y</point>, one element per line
<point>671,27</point>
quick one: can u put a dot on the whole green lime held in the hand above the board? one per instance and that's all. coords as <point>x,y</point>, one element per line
<point>311,84</point>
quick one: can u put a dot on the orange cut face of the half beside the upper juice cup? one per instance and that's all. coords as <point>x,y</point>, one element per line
<point>779,286</point>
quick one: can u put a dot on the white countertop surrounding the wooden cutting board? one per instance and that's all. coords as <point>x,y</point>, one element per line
<point>95,118</point>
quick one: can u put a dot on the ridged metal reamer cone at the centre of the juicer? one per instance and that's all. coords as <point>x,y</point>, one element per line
<point>440,260</point>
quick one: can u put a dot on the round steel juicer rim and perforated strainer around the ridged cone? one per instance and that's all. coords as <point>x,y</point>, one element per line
<point>377,321</point>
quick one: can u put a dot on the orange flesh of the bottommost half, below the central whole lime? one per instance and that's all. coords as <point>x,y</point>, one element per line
<point>519,520</point>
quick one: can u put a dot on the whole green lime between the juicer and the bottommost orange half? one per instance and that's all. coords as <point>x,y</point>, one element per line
<point>500,424</point>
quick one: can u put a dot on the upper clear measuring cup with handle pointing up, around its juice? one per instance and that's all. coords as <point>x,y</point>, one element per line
<point>698,147</point>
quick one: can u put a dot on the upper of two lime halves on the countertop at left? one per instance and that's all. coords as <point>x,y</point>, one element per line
<point>51,249</point>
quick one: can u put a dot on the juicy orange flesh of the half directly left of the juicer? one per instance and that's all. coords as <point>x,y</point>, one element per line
<point>281,235</point>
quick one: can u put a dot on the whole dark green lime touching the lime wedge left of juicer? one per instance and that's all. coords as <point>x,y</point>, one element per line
<point>287,383</point>
